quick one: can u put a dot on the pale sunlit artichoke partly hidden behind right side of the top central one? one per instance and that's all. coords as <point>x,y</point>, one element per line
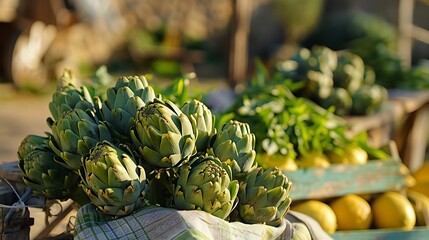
<point>203,121</point>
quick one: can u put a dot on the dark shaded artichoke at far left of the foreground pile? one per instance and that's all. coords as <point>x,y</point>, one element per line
<point>41,171</point>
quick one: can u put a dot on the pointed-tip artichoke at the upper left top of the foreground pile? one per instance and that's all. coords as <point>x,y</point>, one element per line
<point>68,96</point>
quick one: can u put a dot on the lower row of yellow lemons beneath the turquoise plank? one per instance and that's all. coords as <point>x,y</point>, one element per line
<point>389,210</point>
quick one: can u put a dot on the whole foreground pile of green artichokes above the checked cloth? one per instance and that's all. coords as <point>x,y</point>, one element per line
<point>132,147</point>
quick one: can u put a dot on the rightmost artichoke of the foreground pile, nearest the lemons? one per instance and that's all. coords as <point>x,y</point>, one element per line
<point>264,197</point>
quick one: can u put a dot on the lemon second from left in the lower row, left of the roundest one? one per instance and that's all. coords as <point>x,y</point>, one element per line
<point>353,212</point>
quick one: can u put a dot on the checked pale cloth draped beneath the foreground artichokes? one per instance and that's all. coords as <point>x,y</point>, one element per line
<point>166,223</point>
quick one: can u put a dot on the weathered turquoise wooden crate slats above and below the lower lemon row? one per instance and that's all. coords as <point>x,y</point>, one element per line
<point>340,179</point>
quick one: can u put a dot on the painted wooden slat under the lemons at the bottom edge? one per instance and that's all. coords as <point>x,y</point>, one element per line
<point>418,233</point>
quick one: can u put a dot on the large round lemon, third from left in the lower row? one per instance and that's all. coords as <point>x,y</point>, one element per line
<point>393,210</point>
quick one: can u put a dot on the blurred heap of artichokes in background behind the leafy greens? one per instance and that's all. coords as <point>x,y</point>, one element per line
<point>333,78</point>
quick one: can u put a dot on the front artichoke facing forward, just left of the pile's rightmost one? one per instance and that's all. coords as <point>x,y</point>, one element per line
<point>206,184</point>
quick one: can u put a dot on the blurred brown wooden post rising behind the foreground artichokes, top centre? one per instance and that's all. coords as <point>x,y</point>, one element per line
<point>238,49</point>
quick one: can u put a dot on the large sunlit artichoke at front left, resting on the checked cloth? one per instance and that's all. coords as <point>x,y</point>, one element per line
<point>113,181</point>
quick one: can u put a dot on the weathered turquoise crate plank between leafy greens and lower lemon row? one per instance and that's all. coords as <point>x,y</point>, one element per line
<point>341,179</point>
